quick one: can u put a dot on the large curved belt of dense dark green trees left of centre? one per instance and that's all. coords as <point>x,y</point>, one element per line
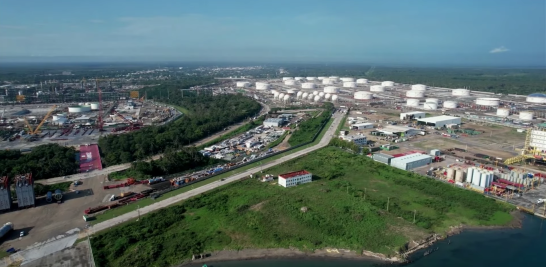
<point>207,115</point>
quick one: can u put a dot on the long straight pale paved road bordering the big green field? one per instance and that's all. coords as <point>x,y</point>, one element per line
<point>202,189</point>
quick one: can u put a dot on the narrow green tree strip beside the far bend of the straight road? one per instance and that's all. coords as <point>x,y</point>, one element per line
<point>307,129</point>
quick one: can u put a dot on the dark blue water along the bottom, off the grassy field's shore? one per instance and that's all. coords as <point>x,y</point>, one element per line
<point>525,247</point>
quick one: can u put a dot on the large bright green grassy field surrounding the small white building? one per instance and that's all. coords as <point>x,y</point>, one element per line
<point>346,208</point>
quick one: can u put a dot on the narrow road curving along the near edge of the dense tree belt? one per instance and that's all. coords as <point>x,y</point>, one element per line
<point>121,167</point>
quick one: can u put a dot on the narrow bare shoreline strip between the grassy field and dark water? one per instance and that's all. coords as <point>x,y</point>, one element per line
<point>333,253</point>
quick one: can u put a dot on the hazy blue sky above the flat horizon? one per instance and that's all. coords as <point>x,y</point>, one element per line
<point>464,32</point>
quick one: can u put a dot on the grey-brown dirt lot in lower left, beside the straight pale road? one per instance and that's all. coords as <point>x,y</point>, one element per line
<point>48,220</point>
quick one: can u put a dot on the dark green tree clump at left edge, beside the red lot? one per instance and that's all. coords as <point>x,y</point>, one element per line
<point>43,162</point>
